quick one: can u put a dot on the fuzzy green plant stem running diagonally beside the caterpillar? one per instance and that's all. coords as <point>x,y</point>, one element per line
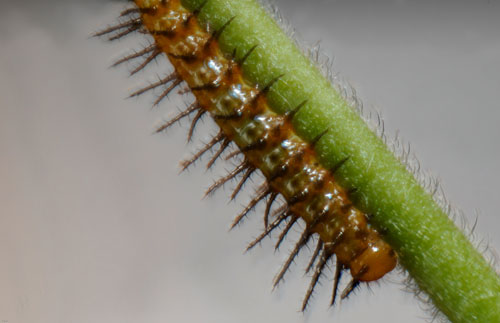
<point>434,251</point>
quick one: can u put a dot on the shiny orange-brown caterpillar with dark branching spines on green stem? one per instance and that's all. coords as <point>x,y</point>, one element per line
<point>265,140</point>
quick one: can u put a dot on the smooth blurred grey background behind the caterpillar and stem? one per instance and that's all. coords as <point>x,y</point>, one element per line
<point>97,226</point>
